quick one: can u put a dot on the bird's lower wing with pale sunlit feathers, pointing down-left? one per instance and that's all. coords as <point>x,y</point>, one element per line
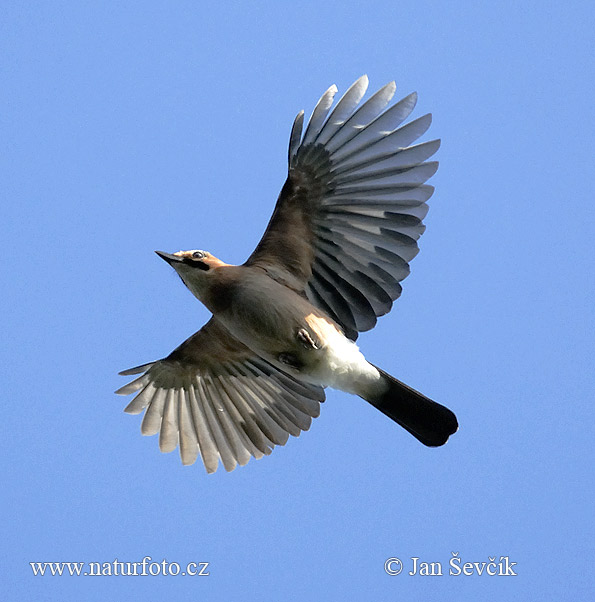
<point>216,398</point>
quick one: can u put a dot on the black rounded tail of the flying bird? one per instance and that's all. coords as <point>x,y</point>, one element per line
<point>426,420</point>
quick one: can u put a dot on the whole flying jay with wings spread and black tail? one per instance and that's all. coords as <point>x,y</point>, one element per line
<point>284,324</point>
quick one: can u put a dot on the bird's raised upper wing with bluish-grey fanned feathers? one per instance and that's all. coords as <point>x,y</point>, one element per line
<point>347,221</point>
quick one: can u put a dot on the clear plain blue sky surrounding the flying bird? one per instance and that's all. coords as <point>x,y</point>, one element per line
<point>133,126</point>
